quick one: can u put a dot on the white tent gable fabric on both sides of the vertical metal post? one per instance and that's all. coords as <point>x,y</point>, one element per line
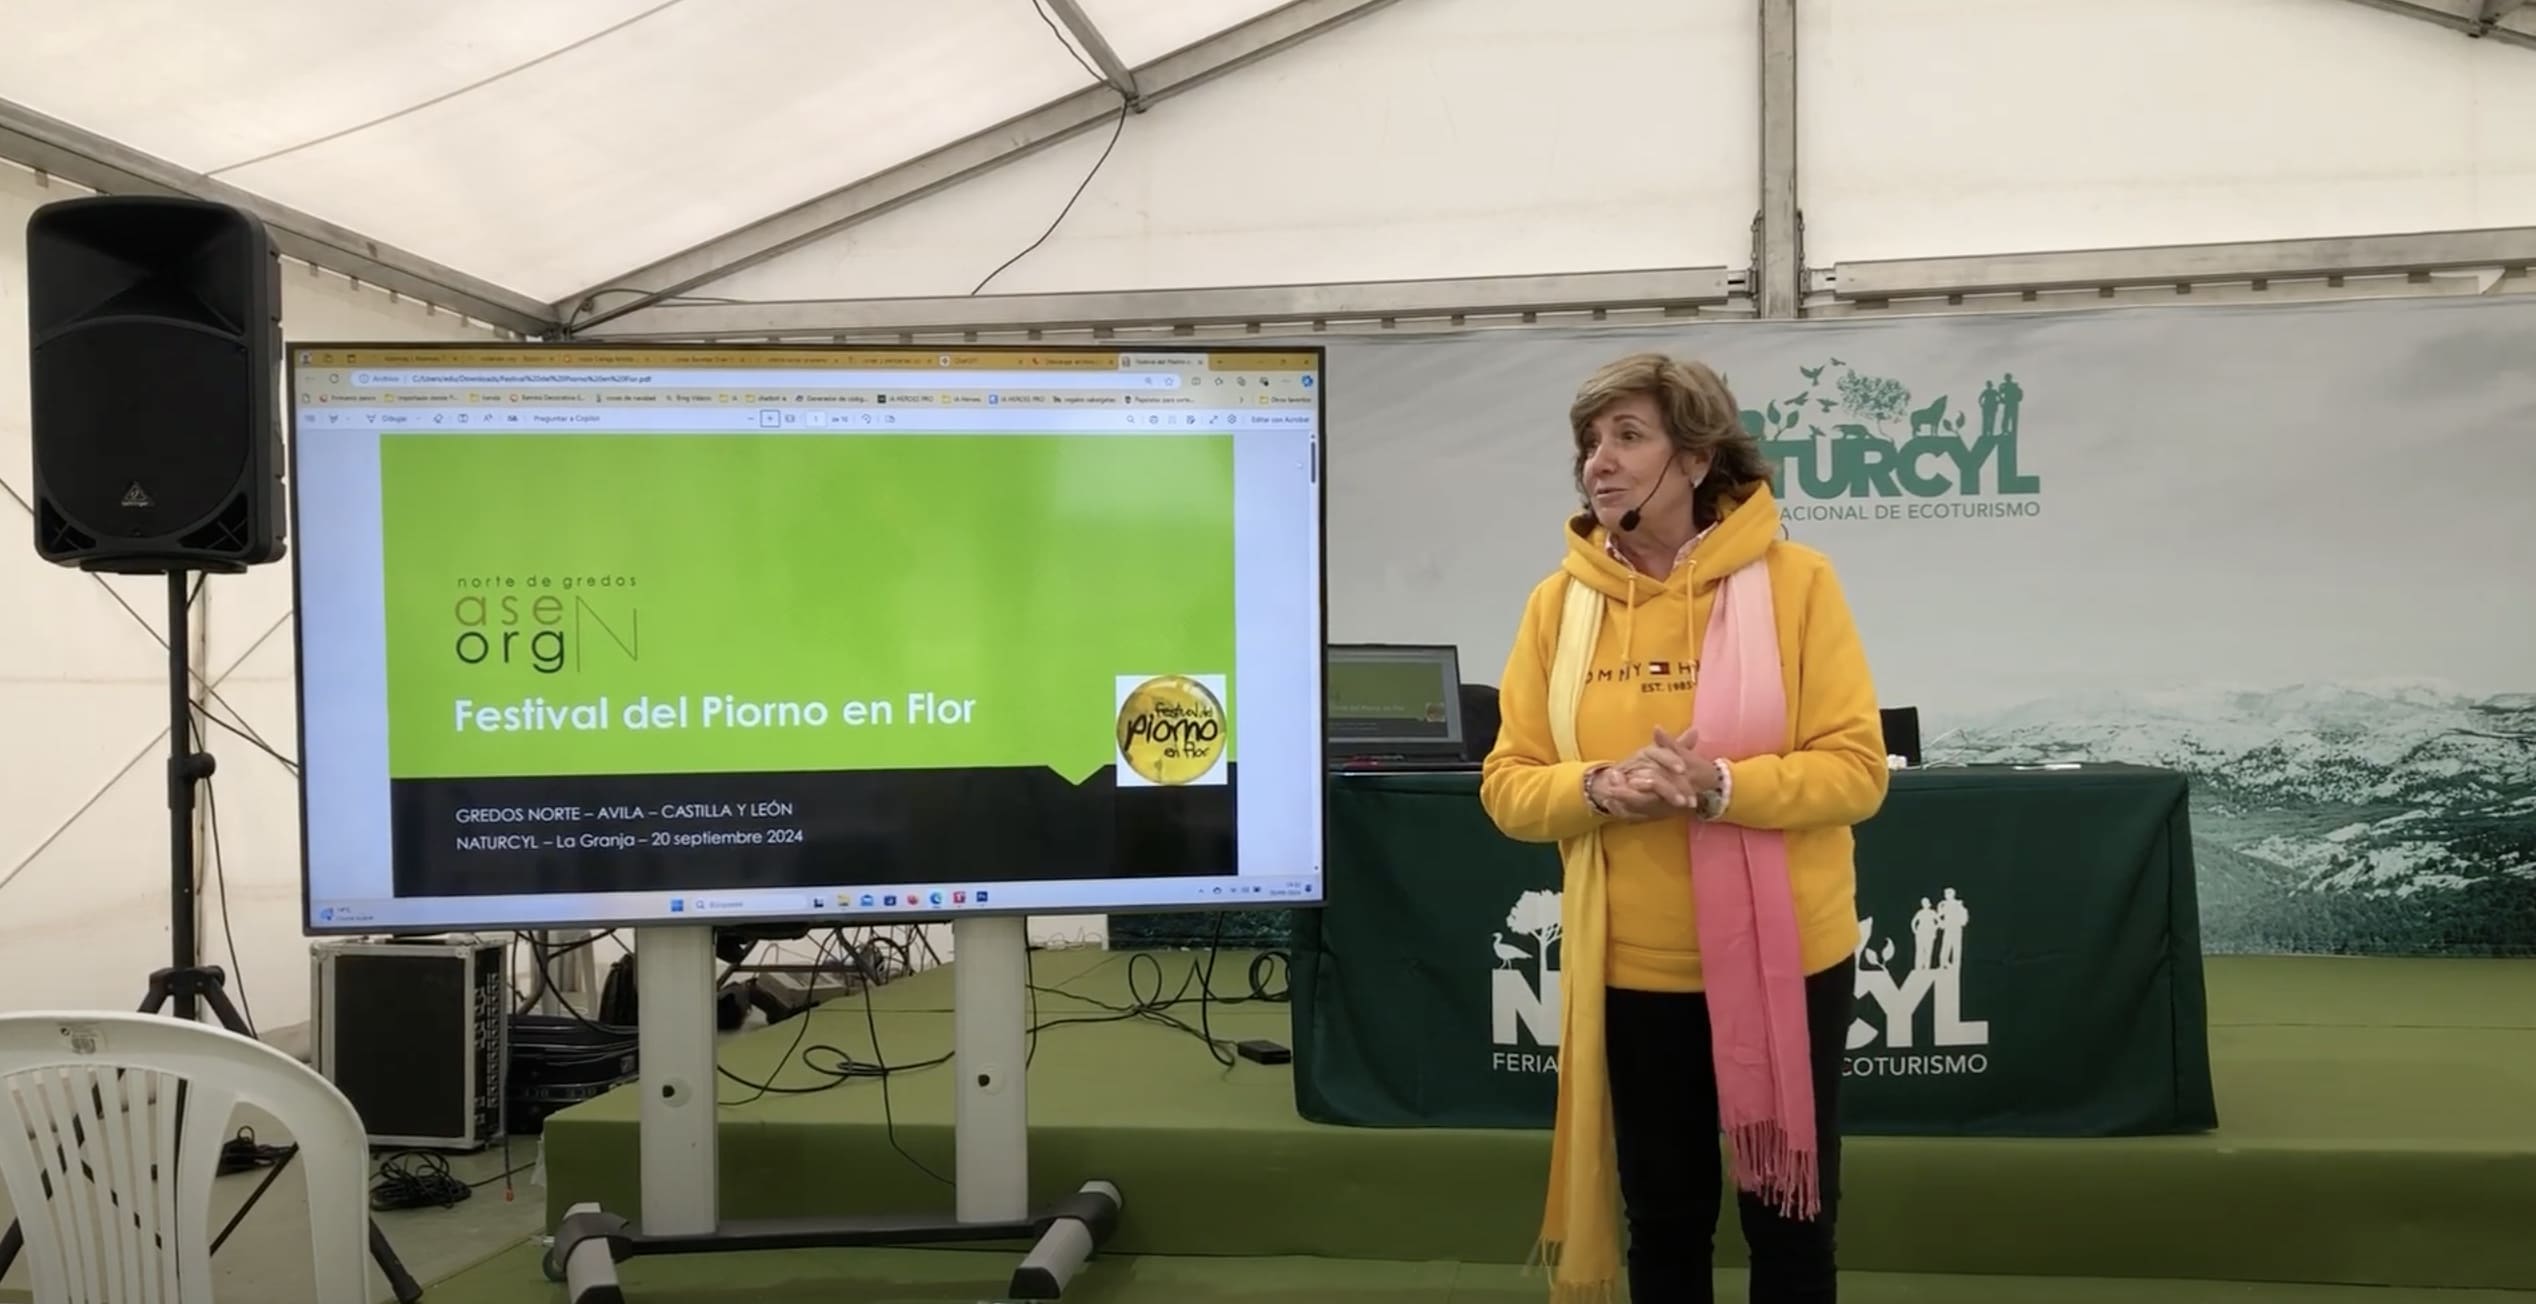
<point>1492,138</point>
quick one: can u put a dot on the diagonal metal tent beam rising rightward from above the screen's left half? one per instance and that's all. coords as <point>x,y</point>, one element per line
<point>967,159</point>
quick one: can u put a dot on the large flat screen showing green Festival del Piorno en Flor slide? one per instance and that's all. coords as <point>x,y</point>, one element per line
<point>633,636</point>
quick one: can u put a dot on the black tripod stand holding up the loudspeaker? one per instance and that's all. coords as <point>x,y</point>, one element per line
<point>186,981</point>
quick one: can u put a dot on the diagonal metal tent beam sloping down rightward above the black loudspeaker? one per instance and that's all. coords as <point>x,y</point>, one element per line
<point>98,164</point>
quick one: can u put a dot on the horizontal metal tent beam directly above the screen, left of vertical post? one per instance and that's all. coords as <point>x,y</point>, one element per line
<point>1257,308</point>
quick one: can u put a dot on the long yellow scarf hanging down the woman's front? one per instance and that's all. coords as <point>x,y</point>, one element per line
<point>1581,1227</point>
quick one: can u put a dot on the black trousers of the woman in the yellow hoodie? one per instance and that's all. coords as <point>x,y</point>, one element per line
<point>1672,1156</point>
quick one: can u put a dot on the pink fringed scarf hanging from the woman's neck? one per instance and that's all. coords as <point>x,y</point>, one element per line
<point>1749,940</point>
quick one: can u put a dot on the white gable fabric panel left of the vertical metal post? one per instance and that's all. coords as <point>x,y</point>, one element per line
<point>1467,138</point>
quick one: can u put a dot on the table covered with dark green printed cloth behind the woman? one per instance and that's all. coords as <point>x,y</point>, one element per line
<point>2030,960</point>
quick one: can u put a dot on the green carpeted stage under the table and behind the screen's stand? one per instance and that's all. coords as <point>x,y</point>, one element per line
<point>2377,1130</point>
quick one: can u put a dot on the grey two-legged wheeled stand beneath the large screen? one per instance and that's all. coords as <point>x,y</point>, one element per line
<point>681,1163</point>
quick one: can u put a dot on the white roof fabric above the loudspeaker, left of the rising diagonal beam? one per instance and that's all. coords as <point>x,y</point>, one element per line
<point>547,146</point>
